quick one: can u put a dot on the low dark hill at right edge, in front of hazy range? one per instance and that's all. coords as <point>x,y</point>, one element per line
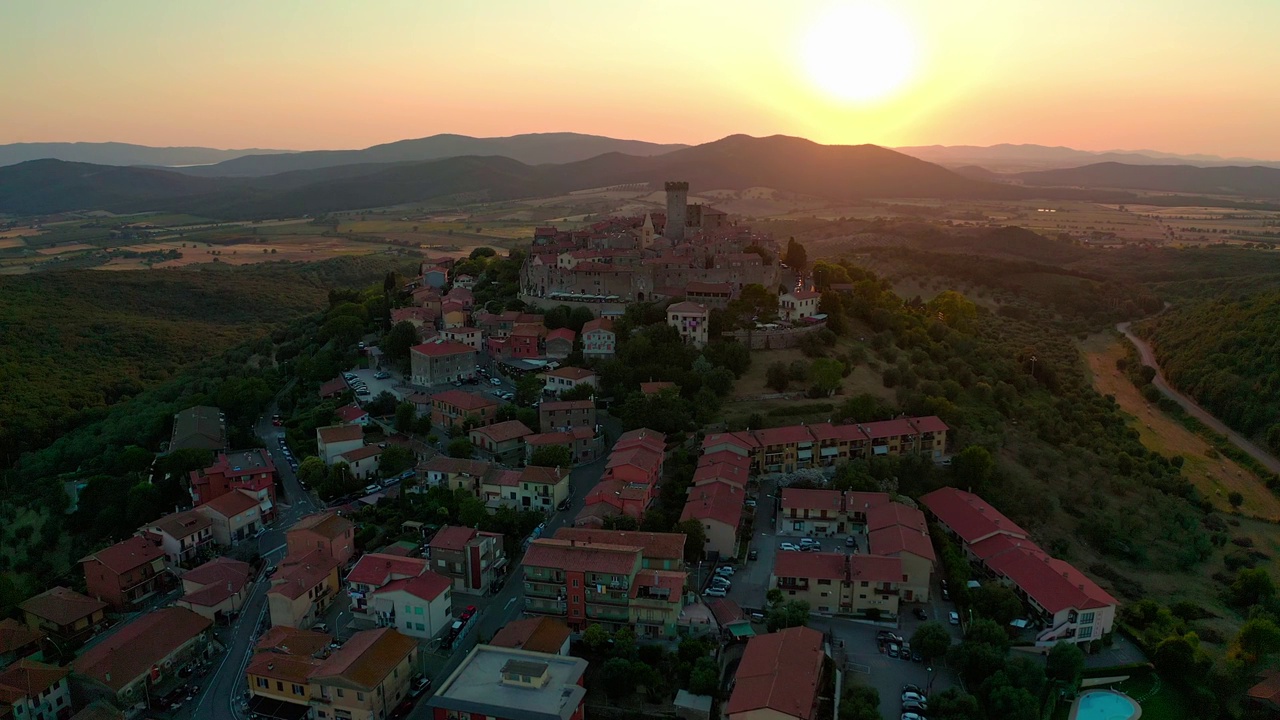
<point>1240,181</point>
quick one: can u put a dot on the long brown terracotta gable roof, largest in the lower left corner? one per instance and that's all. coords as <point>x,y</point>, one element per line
<point>132,650</point>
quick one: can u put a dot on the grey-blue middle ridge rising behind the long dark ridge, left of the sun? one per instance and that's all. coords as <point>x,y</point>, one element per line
<point>534,149</point>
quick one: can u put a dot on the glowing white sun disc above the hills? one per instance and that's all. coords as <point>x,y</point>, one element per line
<point>858,53</point>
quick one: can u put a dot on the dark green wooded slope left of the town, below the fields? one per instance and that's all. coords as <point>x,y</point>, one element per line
<point>77,343</point>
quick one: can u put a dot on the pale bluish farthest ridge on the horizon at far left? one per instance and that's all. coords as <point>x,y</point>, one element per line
<point>120,154</point>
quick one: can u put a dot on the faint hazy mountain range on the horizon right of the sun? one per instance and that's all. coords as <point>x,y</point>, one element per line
<point>1022,158</point>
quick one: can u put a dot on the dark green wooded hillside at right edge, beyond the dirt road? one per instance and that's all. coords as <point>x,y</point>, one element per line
<point>1227,356</point>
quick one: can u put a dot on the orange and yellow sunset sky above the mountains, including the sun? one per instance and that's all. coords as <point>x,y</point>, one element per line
<point>1181,76</point>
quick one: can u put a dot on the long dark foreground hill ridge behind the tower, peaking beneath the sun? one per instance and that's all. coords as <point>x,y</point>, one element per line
<point>789,165</point>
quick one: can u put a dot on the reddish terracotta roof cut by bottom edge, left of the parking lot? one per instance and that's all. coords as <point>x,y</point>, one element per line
<point>780,672</point>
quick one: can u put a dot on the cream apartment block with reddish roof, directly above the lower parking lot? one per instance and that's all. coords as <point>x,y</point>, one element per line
<point>866,586</point>
